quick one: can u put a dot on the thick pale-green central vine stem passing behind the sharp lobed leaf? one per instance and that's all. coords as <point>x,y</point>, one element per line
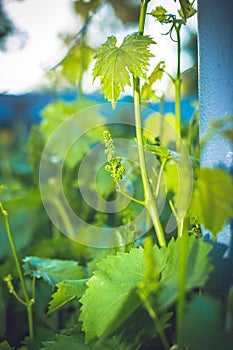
<point>149,198</point>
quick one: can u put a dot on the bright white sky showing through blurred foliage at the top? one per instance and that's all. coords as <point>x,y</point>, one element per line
<point>41,21</point>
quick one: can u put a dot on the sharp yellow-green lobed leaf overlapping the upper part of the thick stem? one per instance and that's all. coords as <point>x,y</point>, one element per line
<point>114,64</point>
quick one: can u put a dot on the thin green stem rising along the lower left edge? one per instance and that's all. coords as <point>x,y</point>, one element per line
<point>28,301</point>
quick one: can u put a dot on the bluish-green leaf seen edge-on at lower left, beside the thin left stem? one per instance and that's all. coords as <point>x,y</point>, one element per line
<point>53,271</point>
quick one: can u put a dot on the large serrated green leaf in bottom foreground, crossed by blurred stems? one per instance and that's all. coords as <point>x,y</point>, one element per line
<point>113,287</point>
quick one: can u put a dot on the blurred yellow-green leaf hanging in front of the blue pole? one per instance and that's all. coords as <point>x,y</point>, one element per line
<point>212,200</point>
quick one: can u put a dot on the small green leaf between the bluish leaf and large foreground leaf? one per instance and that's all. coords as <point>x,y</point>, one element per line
<point>66,291</point>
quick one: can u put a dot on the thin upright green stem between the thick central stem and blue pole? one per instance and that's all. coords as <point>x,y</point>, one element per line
<point>177,83</point>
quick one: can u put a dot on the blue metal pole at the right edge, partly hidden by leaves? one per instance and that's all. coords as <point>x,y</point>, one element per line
<point>215,40</point>
